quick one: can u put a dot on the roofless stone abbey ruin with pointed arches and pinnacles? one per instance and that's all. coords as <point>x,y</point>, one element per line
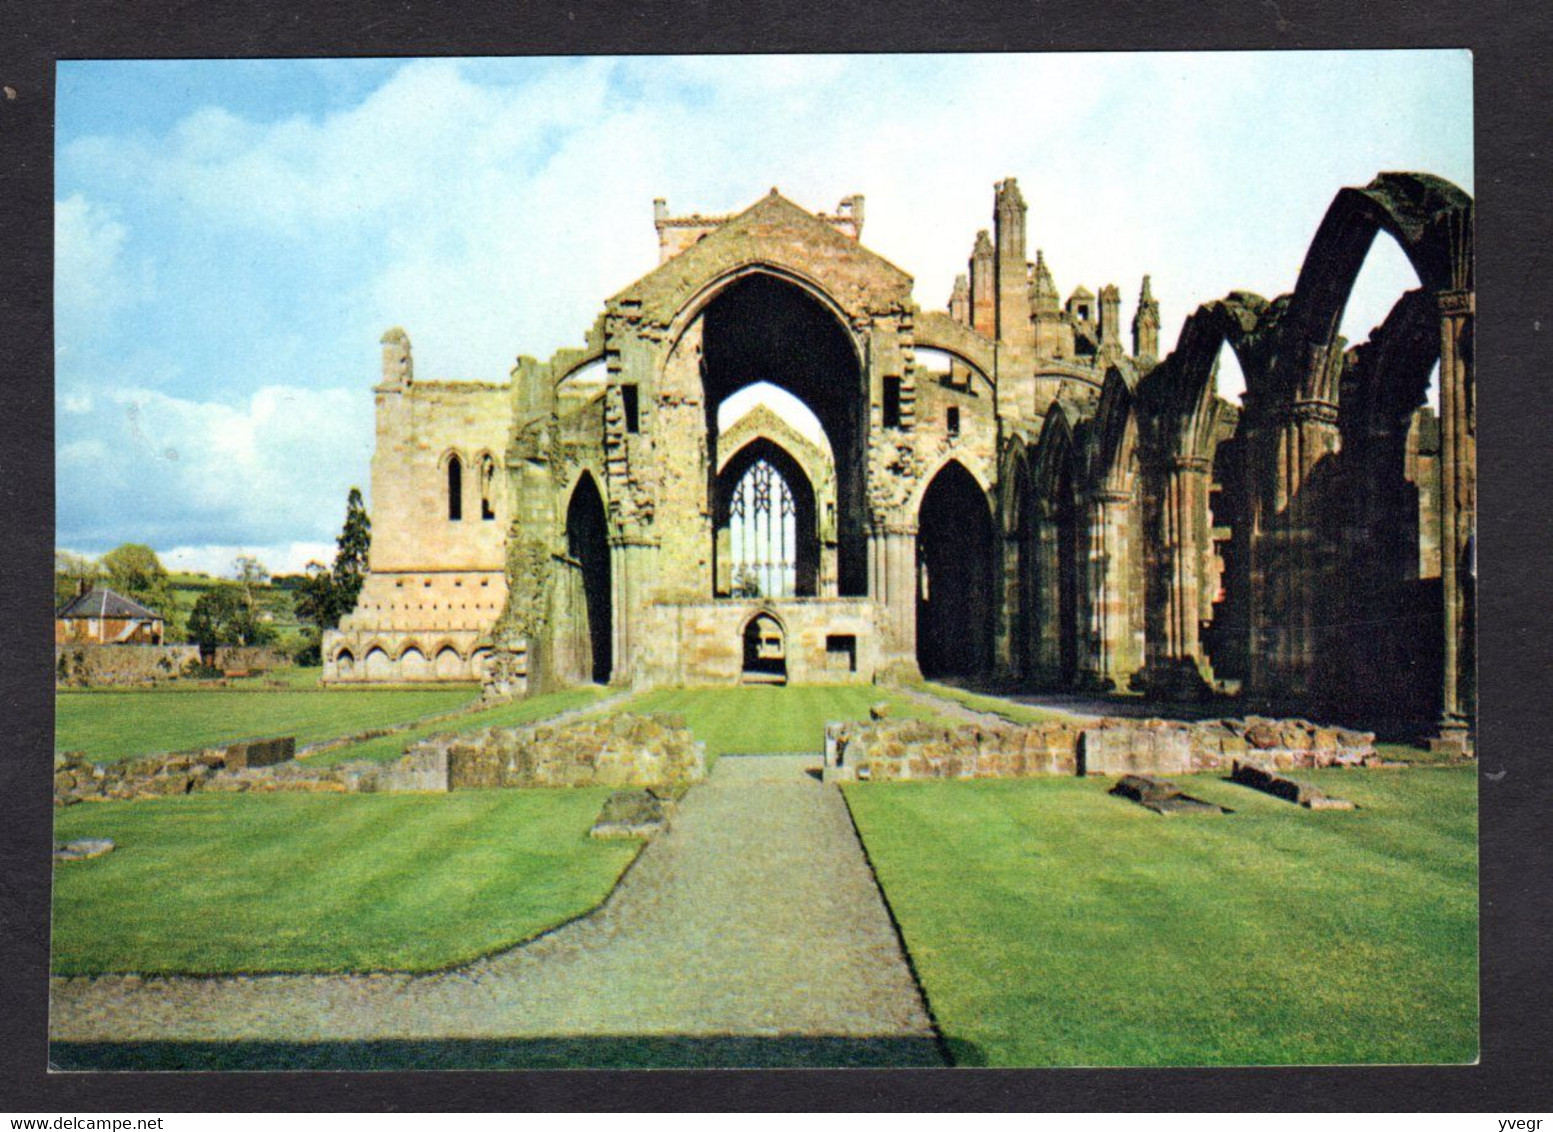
<point>1002,490</point>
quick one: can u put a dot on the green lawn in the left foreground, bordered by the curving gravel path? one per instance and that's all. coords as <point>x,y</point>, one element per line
<point>325,883</point>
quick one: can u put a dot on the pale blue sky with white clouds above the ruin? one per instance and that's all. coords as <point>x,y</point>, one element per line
<point>234,237</point>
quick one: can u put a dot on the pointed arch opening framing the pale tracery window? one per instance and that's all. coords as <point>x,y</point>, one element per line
<point>768,530</point>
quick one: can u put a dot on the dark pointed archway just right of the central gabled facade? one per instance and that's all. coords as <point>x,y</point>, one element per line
<point>954,577</point>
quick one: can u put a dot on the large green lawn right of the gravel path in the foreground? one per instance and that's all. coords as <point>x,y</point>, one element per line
<point>1057,926</point>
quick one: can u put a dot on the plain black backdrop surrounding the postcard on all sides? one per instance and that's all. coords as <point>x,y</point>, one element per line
<point>1512,77</point>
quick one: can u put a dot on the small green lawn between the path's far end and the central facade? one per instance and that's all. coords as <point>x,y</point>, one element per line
<point>757,720</point>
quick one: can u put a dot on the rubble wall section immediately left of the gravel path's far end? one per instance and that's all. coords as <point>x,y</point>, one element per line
<point>614,751</point>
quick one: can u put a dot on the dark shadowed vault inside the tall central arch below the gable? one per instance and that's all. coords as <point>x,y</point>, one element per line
<point>763,328</point>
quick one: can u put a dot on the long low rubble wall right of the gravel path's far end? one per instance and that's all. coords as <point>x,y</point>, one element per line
<point>905,749</point>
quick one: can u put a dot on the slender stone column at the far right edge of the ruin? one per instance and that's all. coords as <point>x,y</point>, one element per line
<point>1457,513</point>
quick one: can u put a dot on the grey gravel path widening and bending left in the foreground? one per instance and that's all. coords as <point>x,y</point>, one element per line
<point>754,915</point>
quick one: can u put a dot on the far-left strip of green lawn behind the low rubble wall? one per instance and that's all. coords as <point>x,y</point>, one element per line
<point>111,726</point>
